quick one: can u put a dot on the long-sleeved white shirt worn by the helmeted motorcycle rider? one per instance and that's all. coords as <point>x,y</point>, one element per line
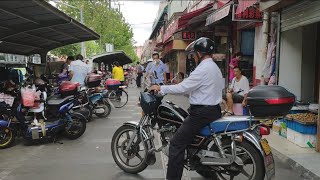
<point>204,85</point>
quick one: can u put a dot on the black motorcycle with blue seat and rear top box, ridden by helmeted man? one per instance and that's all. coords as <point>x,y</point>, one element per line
<point>228,148</point>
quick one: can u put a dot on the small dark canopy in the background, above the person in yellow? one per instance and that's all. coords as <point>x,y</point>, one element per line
<point>109,58</point>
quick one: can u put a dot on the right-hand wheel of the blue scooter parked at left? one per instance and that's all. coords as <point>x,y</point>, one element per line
<point>76,128</point>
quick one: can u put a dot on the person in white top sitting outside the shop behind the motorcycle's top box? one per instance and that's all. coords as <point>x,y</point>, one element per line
<point>237,92</point>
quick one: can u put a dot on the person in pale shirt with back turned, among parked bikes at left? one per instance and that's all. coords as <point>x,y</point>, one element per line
<point>79,70</point>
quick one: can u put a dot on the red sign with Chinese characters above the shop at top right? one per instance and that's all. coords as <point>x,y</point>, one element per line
<point>251,13</point>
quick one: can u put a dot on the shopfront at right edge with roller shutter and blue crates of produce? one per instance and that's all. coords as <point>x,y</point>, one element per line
<point>299,68</point>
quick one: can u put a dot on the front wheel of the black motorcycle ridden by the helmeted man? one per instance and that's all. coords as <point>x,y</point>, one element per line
<point>134,159</point>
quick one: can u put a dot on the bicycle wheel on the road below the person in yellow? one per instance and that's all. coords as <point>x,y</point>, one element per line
<point>118,98</point>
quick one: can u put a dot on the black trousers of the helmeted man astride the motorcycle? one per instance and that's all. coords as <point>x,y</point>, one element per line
<point>199,117</point>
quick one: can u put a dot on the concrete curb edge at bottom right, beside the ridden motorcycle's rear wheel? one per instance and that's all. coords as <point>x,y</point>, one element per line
<point>304,173</point>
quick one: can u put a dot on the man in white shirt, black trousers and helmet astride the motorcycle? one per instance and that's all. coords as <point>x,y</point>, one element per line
<point>204,86</point>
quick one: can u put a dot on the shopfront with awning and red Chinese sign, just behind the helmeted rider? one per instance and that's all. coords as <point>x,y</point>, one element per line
<point>234,31</point>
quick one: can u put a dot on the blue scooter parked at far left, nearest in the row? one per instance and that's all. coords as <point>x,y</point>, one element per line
<point>14,123</point>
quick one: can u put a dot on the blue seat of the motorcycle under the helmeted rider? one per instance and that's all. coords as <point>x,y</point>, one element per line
<point>226,124</point>
